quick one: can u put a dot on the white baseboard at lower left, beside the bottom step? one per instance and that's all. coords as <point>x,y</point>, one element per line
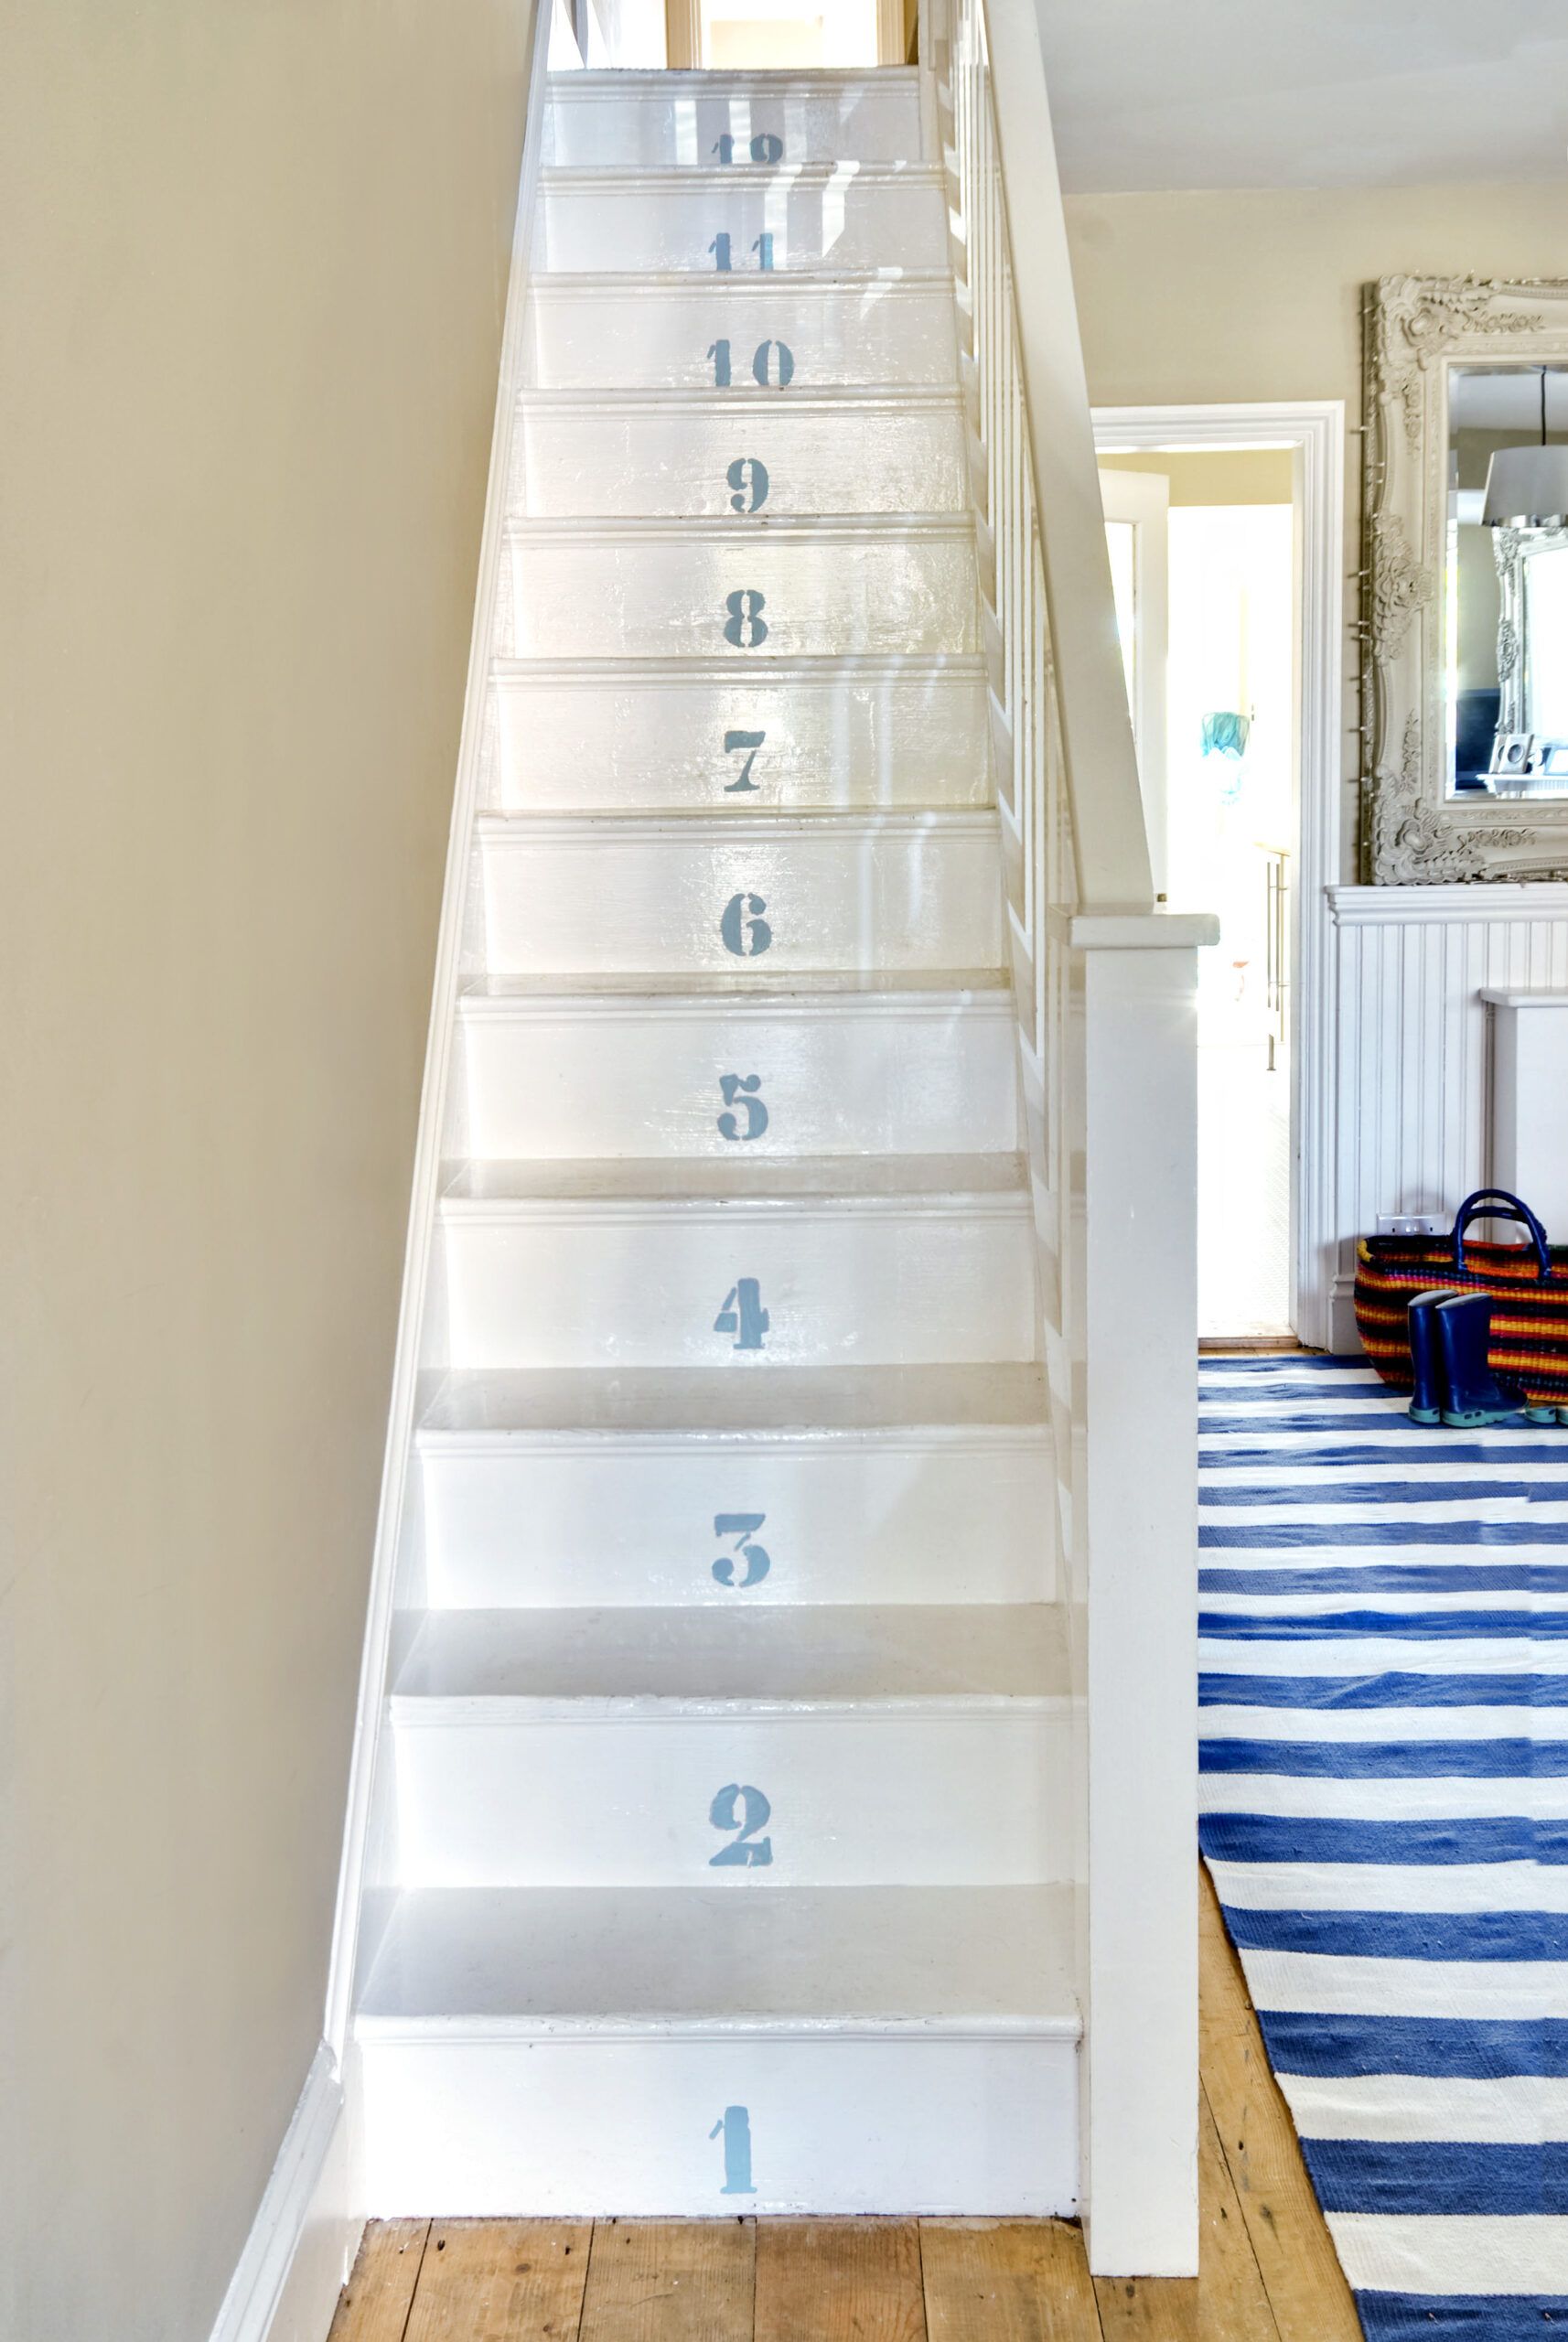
<point>305,2233</point>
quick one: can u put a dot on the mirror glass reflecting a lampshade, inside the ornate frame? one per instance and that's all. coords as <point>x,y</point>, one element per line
<point>1506,591</point>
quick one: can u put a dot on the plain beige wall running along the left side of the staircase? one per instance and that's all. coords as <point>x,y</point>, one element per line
<point>252,282</point>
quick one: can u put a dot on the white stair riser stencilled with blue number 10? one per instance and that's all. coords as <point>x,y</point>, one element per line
<point>661,338</point>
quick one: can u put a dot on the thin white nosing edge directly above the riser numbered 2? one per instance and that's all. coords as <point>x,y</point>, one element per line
<point>518,1711</point>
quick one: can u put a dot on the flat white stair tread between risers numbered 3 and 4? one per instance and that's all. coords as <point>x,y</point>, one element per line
<point>942,1399</point>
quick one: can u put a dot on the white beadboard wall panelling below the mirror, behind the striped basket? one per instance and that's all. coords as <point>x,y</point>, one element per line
<point>1412,1074</point>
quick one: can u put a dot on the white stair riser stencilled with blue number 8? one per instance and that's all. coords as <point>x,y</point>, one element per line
<point>675,596</point>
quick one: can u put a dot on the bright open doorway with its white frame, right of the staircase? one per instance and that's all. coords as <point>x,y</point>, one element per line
<point>1223,556</point>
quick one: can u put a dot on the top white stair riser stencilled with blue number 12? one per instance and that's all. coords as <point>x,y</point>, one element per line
<point>652,130</point>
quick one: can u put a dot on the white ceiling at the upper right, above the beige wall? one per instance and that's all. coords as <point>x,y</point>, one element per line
<point>1307,93</point>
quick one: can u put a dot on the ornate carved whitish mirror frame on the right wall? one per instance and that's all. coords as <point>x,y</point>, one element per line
<point>1417,329</point>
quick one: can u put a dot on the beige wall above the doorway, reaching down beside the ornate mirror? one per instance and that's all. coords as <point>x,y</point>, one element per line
<point>1192,299</point>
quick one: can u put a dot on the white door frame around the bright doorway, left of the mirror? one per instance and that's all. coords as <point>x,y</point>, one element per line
<point>1316,434</point>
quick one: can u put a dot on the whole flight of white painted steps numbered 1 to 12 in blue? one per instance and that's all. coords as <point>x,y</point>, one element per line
<point>722,1805</point>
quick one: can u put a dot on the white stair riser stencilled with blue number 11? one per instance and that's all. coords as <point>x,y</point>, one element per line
<point>841,221</point>
